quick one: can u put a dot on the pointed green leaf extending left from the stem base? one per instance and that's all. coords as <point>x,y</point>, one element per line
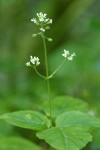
<point>27,119</point>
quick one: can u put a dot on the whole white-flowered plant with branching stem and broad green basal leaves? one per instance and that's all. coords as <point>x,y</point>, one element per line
<point>63,122</point>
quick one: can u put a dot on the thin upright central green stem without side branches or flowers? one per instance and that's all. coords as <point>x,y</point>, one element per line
<point>47,75</point>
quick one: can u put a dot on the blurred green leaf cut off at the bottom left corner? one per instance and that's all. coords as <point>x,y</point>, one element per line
<point>17,143</point>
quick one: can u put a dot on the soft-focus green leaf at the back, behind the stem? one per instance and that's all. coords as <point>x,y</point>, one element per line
<point>63,103</point>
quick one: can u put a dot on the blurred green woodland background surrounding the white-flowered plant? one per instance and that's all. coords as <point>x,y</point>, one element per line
<point>76,27</point>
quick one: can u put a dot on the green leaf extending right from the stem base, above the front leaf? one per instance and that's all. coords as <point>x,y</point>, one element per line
<point>78,119</point>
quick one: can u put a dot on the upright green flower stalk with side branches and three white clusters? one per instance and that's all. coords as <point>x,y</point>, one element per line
<point>43,24</point>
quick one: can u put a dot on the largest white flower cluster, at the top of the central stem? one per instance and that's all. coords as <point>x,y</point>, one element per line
<point>42,21</point>
